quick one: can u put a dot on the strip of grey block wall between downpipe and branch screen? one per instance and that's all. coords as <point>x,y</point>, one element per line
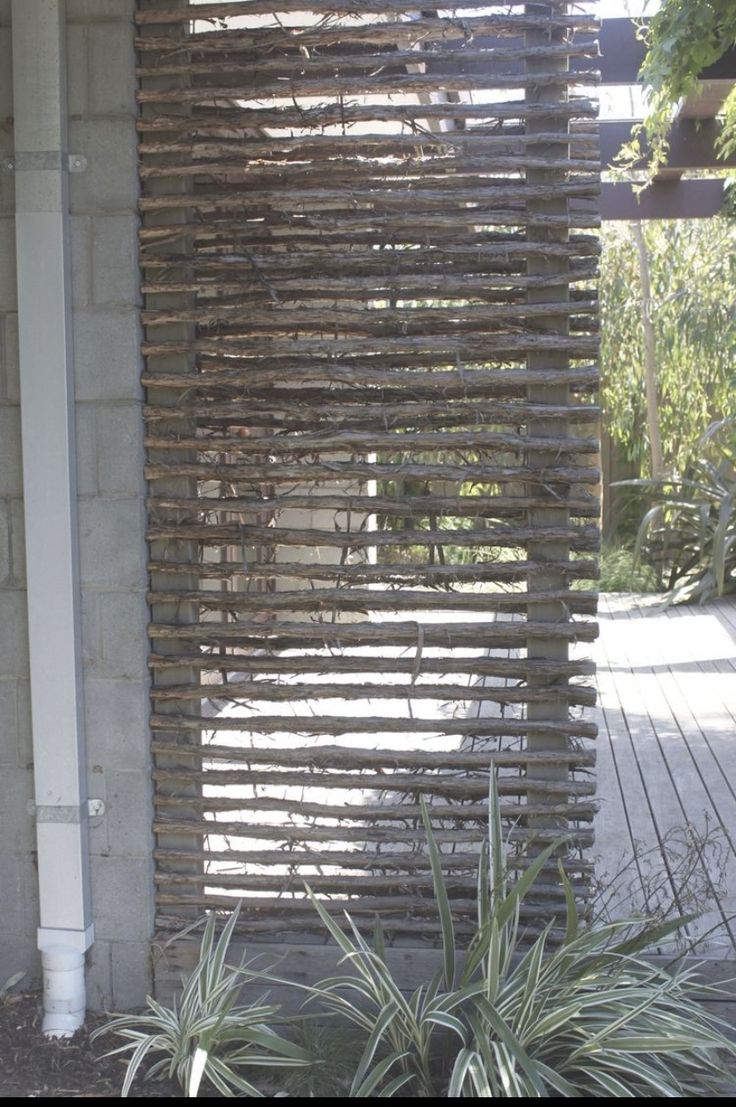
<point>111,492</point>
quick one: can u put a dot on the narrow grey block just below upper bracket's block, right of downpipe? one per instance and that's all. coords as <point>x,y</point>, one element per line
<point>116,260</point>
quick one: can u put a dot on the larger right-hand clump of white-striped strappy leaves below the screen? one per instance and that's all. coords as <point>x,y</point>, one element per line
<point>587,1017</point>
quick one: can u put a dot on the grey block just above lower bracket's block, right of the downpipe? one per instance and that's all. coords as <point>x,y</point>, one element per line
<point>118,723</point>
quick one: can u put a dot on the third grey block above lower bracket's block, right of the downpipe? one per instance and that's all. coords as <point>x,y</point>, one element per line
<point>112,550</point>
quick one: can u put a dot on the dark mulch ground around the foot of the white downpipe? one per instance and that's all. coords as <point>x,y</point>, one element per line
<point>34,1067</point>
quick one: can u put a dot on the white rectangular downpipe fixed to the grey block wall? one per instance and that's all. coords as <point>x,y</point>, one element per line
<point>47,365</point>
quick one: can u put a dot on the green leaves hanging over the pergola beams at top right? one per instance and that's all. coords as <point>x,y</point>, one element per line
<point>683,38</point>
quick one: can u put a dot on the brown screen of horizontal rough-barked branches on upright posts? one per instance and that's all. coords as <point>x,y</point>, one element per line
<point>368,256</point>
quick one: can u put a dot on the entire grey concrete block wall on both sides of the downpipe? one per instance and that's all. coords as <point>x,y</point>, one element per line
<point>111,514</point>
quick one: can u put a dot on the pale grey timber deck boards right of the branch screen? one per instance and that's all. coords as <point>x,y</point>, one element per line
<point>667,765</point>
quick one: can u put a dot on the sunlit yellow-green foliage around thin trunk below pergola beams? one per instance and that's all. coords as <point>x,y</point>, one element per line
<point>693,273</point>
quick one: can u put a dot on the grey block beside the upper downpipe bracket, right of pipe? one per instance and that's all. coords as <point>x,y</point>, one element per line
<point>110,182</point>
